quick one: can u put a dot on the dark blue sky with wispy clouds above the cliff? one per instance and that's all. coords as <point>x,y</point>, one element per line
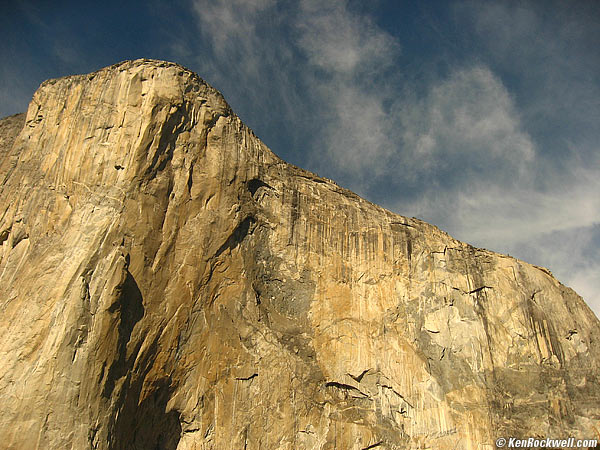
<point>482,117</point>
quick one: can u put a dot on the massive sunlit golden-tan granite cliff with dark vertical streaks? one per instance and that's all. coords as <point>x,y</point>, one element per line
<point>167,282</point>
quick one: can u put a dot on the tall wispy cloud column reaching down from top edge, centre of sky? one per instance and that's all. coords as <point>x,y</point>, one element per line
<point>345,53</point>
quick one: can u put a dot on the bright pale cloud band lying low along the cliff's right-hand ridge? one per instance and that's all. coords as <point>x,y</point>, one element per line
<point>496,216</point>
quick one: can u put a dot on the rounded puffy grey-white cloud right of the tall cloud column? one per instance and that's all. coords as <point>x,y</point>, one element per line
<point>469,119</point>
